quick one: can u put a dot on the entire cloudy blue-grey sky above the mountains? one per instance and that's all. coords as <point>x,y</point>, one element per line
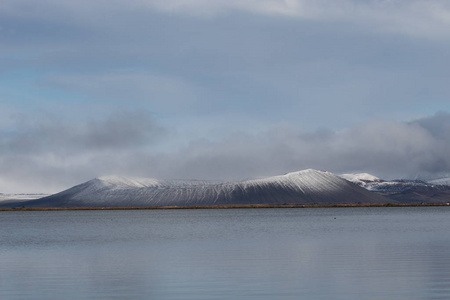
<point>221,89</point>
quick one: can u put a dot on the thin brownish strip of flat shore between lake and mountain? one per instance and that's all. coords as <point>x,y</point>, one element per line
<point>231,206</point>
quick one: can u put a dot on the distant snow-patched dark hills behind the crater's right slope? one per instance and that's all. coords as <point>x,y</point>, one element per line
<point>403,190</point>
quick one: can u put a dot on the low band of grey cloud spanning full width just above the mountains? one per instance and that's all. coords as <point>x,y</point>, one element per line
<point>55,155</point>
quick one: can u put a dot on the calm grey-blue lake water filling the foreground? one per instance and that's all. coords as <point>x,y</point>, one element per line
<point>304,253</point>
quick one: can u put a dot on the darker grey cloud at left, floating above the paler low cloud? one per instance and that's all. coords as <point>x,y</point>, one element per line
<point>48,133</point>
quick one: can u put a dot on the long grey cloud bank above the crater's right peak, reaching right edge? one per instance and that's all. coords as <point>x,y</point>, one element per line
<point>385,148</point>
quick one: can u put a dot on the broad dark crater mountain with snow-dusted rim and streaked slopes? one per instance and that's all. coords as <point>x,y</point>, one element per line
<point>303,187</point>
